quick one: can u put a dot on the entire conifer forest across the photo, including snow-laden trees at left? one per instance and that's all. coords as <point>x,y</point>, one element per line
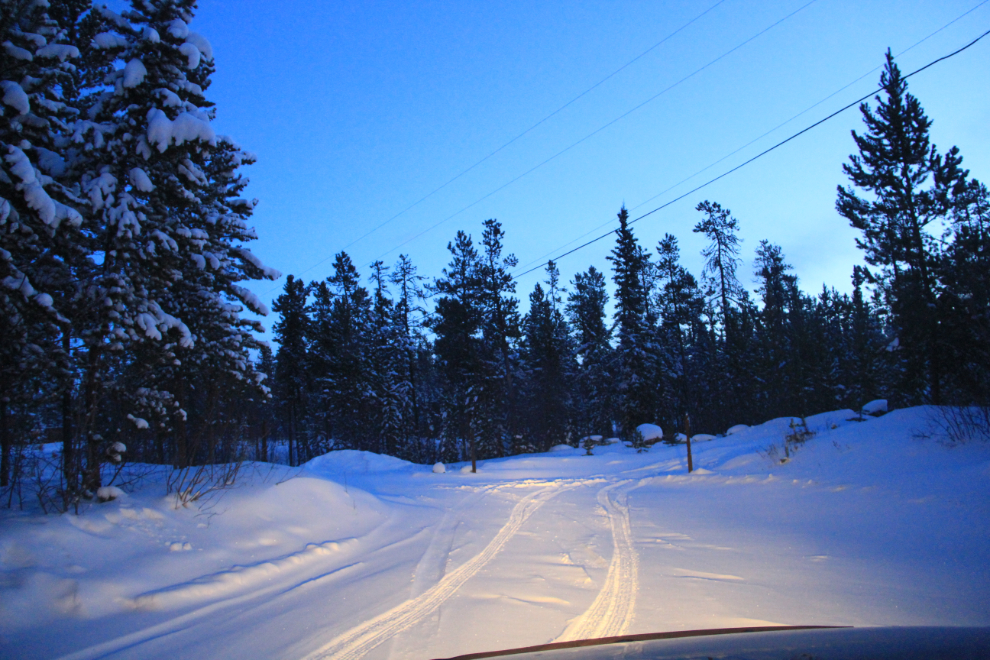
<point>122,235</point>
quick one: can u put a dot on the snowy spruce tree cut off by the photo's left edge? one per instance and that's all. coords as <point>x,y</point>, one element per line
<point>39,224</point>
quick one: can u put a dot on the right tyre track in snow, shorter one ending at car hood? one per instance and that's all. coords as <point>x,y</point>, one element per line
<point>613,609</point>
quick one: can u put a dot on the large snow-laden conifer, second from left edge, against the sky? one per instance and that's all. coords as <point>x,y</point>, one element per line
<point>168,227</point>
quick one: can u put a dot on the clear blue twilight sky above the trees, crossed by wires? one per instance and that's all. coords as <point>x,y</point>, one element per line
<point>356,111</point>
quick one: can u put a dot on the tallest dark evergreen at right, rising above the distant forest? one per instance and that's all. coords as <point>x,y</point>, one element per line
<point>908,186</point>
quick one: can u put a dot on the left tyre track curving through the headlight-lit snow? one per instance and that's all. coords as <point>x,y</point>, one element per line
<point>356,642</point>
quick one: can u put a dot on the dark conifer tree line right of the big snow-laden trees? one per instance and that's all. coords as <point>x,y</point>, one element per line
<point>473,377</point>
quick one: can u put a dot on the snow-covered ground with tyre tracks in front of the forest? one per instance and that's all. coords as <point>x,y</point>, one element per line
<point>359,555</point>
